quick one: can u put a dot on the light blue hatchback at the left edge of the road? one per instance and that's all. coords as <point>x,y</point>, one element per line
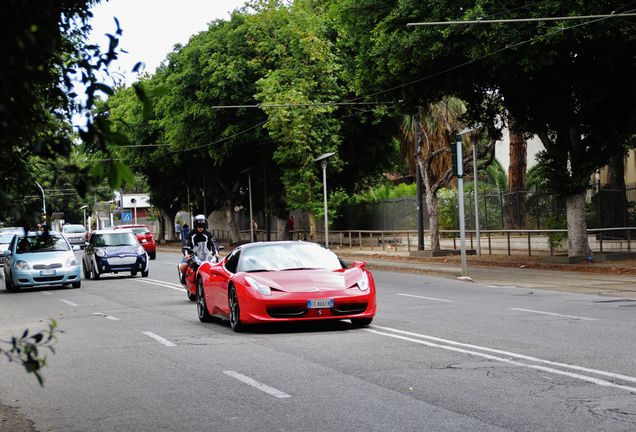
<point>37,259</point>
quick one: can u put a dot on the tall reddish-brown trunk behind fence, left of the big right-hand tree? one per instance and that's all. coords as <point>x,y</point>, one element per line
<point>516,202</point>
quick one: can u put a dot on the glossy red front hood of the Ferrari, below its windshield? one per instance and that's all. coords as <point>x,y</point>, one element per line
<point>309,280</point>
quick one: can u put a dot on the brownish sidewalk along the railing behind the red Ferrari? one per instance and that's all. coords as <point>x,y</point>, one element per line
<point>611,278</point>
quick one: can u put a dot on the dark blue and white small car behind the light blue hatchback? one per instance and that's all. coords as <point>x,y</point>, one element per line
<point>114,251</point>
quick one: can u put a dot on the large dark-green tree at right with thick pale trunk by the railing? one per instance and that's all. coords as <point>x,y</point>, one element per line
<point>570,83</point>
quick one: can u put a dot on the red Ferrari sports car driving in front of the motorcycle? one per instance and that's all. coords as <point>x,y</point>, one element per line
<point>284,281</point>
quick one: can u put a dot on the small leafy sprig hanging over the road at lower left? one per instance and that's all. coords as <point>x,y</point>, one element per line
<point>27,349</point>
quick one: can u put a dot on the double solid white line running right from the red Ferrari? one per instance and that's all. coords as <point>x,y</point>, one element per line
<point>510,354</point>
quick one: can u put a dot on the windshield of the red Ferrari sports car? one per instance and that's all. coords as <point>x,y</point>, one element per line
<point>287,256</point>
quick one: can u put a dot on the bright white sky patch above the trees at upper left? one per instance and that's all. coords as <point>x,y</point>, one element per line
<point>151,28</point>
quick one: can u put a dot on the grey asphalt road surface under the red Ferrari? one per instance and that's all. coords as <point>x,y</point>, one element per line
<point>441,355</point>
